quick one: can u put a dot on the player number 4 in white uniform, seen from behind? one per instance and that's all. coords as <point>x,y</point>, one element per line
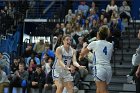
<point>102,51</point>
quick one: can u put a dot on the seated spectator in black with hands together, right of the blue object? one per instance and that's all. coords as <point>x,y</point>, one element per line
<point>38,79</point>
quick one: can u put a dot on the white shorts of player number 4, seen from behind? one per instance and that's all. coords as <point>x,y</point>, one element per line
<point>102,73</point>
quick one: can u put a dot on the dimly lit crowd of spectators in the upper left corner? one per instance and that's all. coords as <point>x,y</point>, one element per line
<point>11,13</point>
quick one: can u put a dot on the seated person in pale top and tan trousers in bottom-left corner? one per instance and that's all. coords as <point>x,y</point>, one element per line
<point>4,82</point>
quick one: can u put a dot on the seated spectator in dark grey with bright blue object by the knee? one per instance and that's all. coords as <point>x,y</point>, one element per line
<point>19,79</point>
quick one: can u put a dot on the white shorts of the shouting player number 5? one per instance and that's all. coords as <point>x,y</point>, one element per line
<point>59,74</point>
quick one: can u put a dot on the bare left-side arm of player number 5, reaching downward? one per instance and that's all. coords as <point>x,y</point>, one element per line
<point>59,57</point>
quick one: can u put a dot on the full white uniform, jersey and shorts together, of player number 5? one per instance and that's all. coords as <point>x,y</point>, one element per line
<point>58,72</point>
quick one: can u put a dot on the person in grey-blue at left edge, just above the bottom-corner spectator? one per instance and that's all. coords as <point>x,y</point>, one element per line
<point>4,63</point>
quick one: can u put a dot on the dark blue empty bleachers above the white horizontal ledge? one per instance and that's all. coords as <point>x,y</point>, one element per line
<point>47,10</point>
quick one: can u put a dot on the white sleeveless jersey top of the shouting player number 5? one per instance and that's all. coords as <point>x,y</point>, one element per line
<point>66,57</point>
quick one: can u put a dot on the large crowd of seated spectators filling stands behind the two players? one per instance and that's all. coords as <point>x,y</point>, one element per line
<point>33,68</point>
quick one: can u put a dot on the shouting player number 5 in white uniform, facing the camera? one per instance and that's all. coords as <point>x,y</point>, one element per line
<point>65,54</point>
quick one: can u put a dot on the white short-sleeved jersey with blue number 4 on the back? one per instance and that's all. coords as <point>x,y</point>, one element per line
<point>102,51</point>
